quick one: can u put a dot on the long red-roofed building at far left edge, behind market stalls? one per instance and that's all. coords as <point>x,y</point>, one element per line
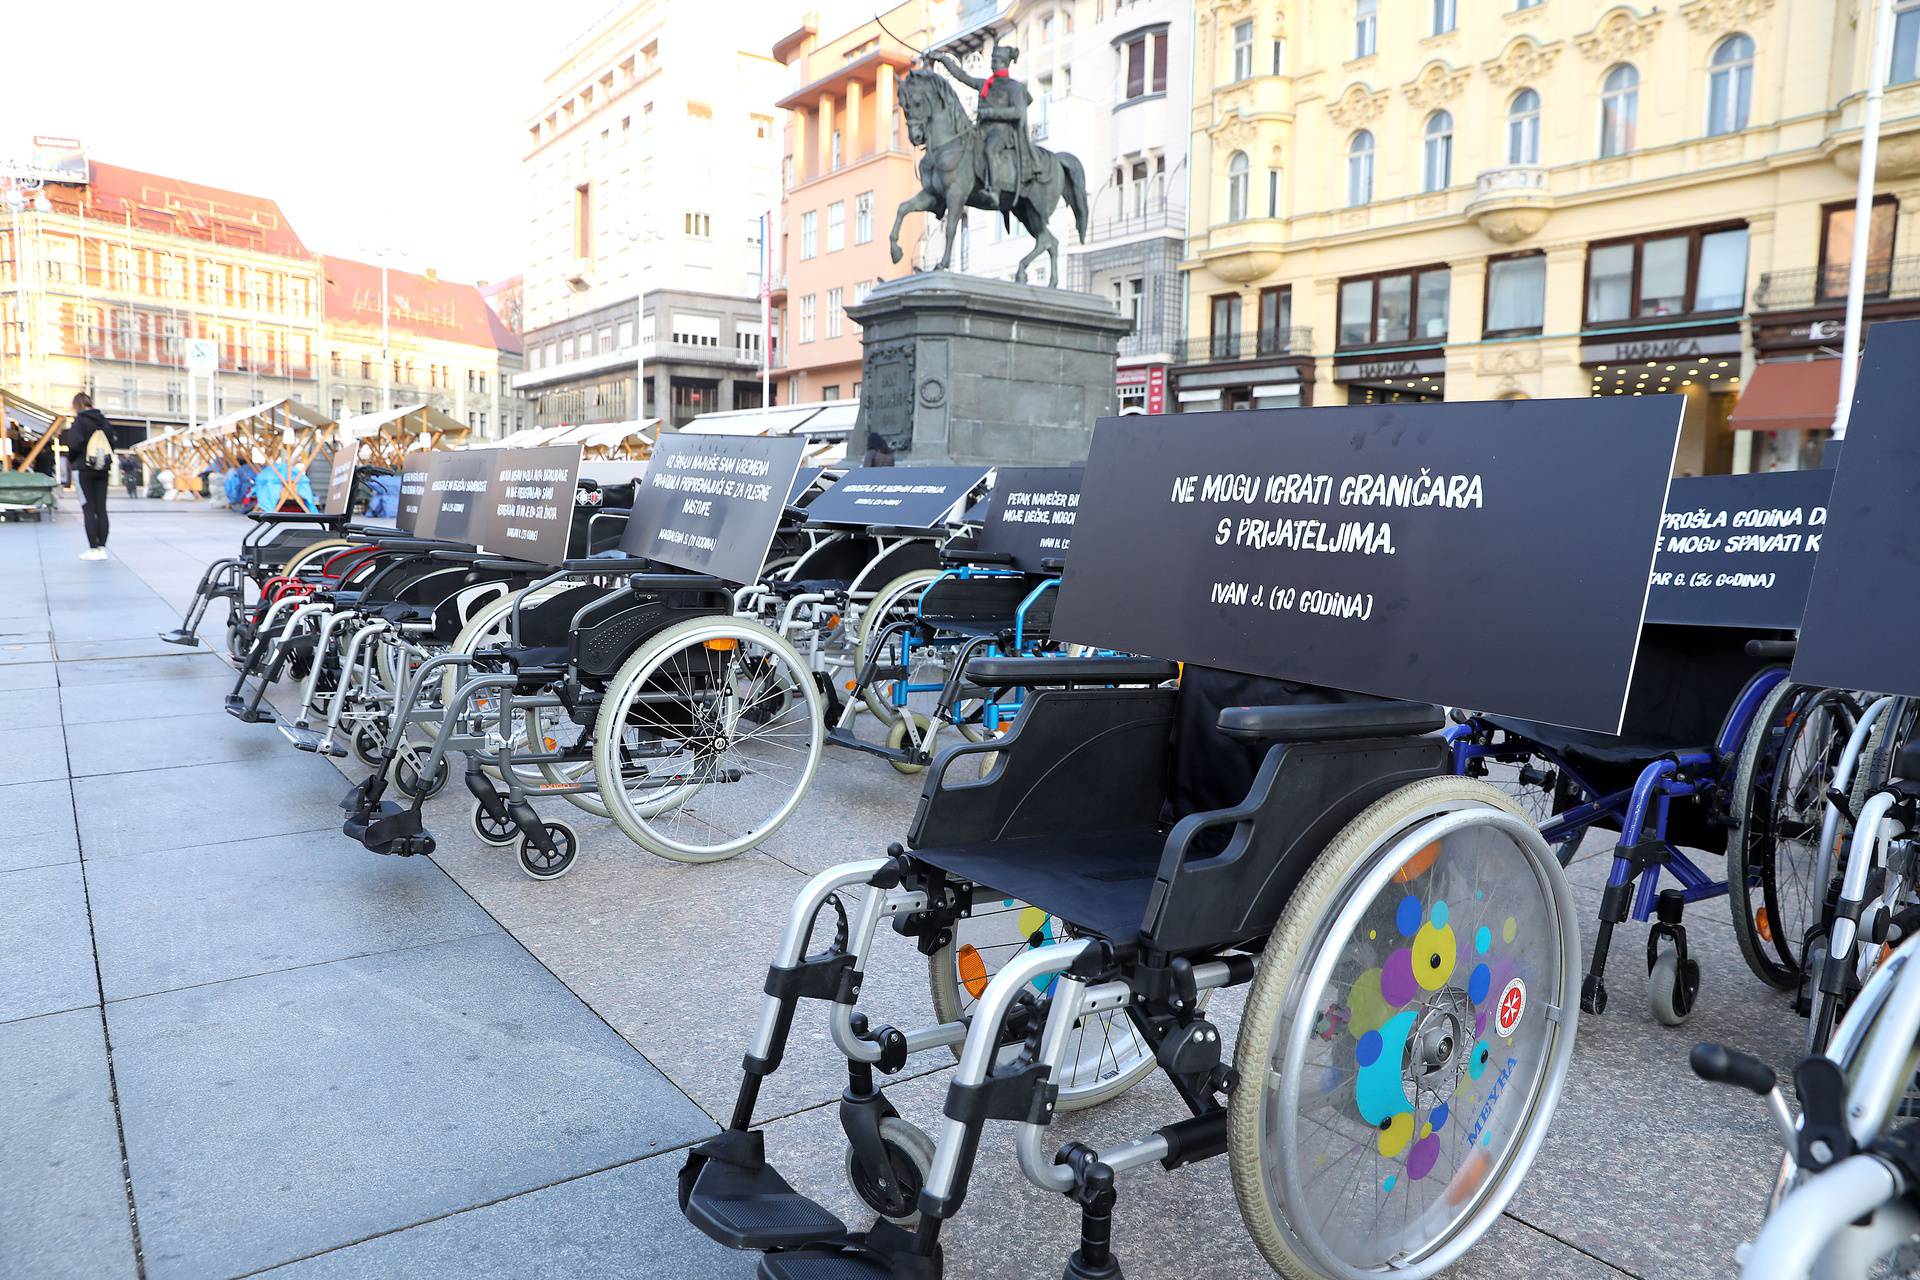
<point>103,289</point>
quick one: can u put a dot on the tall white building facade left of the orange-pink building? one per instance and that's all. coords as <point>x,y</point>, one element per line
<point>652,172</point>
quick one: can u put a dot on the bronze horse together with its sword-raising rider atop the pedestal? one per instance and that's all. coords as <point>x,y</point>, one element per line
<point>986,164</point>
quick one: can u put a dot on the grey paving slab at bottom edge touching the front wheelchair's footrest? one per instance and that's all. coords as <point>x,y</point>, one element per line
<point>623,1223</point>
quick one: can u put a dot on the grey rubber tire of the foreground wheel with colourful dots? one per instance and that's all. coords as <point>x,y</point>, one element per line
<point>1284,960</point>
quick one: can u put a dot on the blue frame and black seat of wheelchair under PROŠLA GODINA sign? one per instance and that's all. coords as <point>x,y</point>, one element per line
<point>1704,705</point>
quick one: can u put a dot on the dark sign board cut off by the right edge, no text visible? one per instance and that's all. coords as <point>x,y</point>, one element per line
<point>1863,607</point>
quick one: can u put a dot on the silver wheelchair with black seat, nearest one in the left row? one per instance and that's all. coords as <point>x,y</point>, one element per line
<point>636,696</point>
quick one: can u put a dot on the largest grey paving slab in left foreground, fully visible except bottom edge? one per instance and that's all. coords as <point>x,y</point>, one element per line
<point>368,1095</point>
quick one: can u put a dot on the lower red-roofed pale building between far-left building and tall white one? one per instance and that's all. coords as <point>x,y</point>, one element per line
<point>402,339</point>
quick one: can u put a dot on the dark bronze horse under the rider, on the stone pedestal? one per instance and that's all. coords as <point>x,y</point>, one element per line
<point>953,176</point>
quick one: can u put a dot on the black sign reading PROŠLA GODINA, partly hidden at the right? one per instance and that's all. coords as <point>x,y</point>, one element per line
<point>1737,552</point>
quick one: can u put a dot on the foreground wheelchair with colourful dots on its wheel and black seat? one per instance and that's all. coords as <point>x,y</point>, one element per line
<point>1406,936</point>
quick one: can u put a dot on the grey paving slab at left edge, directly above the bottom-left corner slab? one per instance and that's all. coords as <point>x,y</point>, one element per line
<point>47,955</point>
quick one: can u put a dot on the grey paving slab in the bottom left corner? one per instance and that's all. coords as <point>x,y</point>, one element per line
<point>62,1189</point>
